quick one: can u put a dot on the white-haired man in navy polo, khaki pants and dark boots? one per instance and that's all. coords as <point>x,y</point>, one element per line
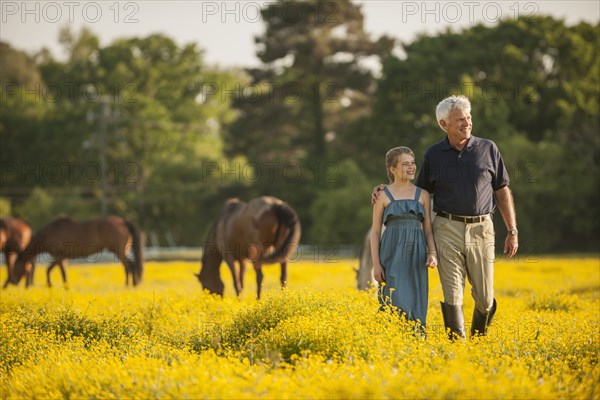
<point>468,179</point>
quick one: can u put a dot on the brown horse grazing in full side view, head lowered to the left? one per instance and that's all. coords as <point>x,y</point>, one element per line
<point>65,238</point>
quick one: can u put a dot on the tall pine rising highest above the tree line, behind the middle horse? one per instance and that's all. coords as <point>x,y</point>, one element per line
<point>314,80</point>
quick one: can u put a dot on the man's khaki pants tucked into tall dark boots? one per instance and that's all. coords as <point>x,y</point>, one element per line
<point>466,250</point>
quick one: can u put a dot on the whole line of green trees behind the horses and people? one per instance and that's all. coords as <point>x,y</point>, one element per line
<point>144,128</point>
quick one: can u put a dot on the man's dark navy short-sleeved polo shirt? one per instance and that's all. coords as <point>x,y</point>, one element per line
<point>464,182</point>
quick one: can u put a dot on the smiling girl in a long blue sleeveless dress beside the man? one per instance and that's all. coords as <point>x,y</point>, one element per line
<point>401,256</point>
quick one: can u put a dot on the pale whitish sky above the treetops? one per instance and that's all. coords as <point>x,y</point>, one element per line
<point>225,30</point>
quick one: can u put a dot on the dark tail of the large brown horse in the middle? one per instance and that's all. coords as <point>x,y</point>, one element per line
<point>286,217</point>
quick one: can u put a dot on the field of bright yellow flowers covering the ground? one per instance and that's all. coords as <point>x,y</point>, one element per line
<point>320,338</point>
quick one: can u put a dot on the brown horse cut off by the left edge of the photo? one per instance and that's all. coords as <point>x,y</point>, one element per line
<point>15,235</point>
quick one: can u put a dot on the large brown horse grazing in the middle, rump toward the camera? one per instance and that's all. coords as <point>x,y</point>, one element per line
<point>265,231</point>
